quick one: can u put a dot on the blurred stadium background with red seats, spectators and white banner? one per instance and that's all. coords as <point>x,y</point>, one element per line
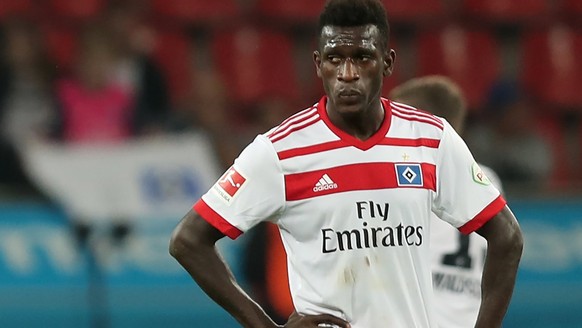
<point>116,115</point>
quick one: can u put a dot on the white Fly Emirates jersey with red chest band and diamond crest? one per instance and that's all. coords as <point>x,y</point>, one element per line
<point>354,215</point>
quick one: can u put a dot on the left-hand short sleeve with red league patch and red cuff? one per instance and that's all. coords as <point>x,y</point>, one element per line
<point>249,192</point>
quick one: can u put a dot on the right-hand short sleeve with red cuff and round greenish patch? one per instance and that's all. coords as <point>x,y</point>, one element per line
<point>465,197</point>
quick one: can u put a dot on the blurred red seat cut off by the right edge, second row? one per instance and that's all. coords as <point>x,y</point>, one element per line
<point>551,69</point>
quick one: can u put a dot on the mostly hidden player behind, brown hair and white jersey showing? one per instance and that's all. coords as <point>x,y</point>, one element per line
<point>457,259</point>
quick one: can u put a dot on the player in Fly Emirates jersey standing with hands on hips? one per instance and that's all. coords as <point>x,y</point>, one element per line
<point>351,182</point>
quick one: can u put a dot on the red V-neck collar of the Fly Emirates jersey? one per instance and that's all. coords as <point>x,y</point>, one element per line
<point>351,140</point>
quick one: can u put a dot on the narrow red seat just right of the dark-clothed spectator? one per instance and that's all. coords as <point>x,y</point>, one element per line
<point>174,53</point>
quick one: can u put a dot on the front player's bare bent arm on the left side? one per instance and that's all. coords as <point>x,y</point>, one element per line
<point>193,245</point>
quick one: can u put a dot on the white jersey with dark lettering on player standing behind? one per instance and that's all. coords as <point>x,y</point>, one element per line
<point>457,264</point>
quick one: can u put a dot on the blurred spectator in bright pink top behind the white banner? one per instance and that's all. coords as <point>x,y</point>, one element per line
<point>95,108</point>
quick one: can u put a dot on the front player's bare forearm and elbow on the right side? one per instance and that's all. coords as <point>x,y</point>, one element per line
<point>505,244</point>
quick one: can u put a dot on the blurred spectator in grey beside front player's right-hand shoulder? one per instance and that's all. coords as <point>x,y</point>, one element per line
<point>508,141</point>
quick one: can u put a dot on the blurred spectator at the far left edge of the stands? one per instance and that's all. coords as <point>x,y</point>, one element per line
<point>26,100</point>
